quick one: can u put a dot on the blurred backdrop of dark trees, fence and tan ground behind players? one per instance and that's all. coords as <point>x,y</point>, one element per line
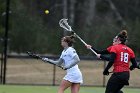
<point>24,26</point>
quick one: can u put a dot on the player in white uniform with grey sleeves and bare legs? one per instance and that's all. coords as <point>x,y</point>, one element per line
<point>68,60</point>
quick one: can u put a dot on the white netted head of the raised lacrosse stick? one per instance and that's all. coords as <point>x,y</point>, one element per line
<point>64,24</point>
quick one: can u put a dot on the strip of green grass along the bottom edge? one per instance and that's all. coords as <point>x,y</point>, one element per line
<point>52,89</point>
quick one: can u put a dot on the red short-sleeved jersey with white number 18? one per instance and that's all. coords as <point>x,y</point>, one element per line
<point>123,56</point>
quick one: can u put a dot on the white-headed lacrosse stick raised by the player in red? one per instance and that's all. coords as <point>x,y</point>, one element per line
<point>64,24</point>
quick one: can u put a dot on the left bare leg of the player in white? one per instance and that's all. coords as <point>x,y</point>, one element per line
<point>63,86</point>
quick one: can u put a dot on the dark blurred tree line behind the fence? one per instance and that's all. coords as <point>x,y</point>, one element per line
<point>95,21</point>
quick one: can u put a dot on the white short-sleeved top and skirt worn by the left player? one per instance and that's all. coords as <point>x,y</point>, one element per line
<point>73,74</point>
